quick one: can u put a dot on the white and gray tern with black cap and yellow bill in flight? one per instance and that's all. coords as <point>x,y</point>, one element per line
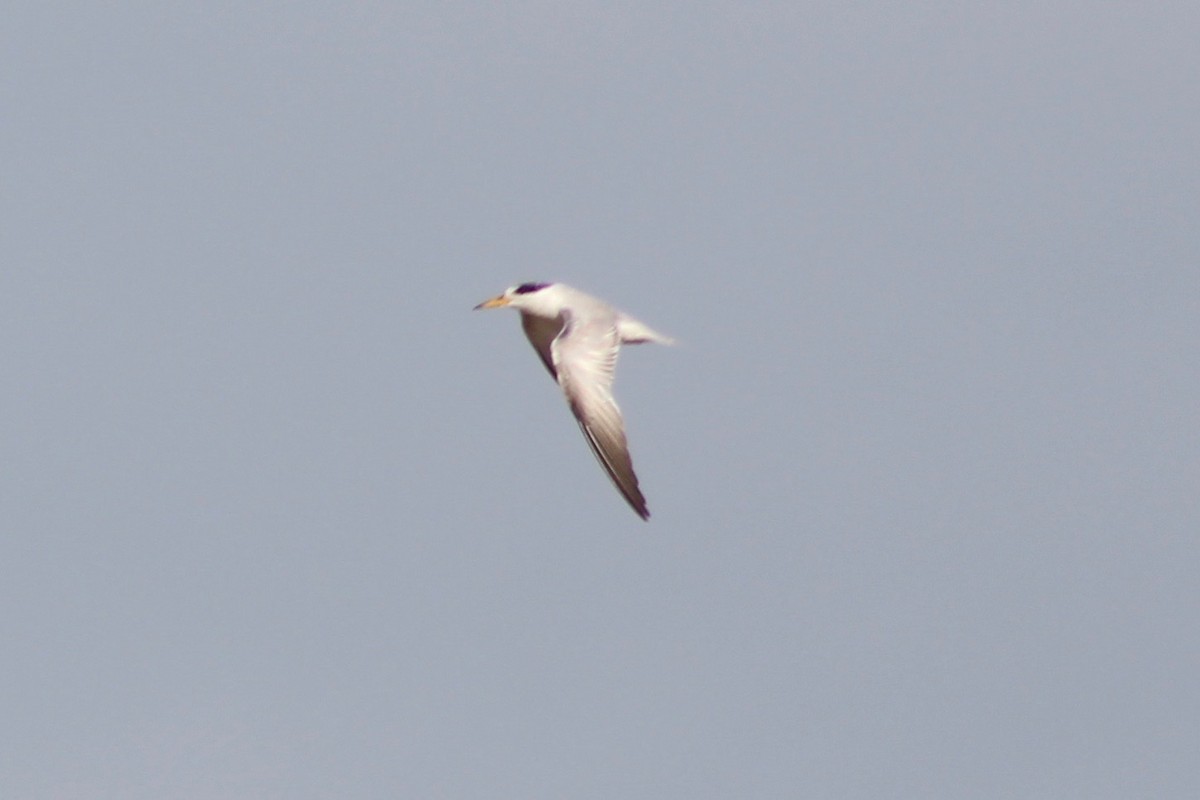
<point>578,338</point>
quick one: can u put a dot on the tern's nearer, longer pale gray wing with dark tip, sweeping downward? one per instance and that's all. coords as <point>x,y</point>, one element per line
<point>584,359</point>
